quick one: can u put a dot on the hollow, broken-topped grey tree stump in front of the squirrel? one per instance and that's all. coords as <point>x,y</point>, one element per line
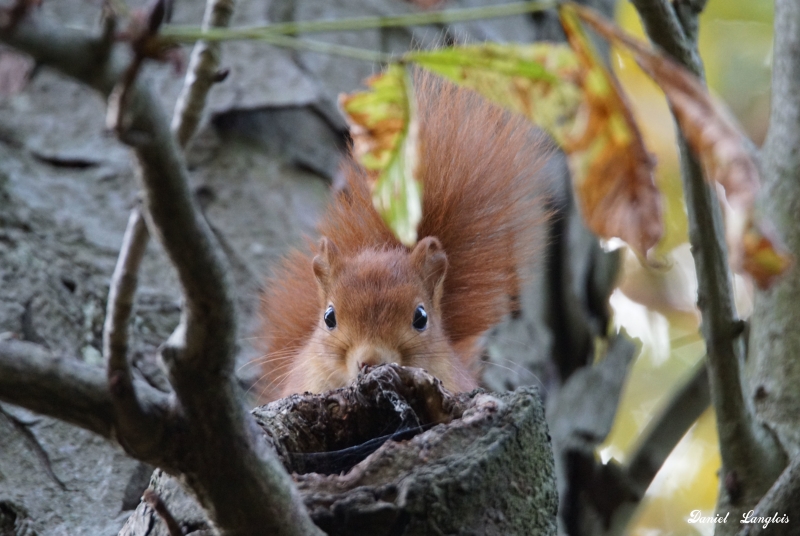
<point>396,454</point>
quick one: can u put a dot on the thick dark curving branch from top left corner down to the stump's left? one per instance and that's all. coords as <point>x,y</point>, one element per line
<point>211,441</point>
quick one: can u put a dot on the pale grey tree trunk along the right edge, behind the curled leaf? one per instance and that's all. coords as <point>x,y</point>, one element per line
<point>773,365</point>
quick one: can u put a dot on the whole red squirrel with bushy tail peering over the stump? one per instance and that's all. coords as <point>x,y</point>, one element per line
<point>361,297</point>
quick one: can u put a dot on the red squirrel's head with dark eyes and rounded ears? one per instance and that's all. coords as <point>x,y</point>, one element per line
<point>378,306</point>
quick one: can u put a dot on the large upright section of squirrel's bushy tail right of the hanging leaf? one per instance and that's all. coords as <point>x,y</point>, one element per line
<point>482,200</point>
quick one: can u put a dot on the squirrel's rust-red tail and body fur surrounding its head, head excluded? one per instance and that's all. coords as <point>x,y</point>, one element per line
<point>481,199</point>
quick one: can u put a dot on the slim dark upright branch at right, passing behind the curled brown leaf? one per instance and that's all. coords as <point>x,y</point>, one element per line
<point>750,456</point>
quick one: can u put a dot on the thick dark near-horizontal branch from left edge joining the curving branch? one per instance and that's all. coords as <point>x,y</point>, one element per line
<point>65,388</point>
